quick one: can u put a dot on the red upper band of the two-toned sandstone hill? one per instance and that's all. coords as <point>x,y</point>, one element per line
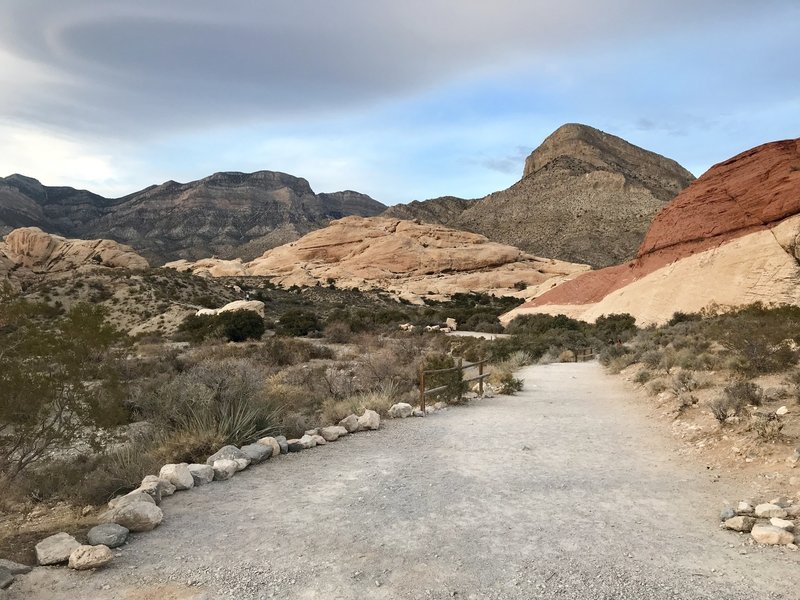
<point>752,191</point>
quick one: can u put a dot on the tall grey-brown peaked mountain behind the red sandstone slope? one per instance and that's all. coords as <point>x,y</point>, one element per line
<point>585,196</point>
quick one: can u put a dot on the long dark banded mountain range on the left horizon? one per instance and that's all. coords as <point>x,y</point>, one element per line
<point>226,214</point>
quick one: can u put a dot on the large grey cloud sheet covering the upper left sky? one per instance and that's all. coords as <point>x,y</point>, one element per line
<point>113,67</point>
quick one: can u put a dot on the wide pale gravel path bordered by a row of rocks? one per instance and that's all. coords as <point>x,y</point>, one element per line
<point>562,491</point>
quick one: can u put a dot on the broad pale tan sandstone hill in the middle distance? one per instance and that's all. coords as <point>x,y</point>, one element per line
<point>408,258</point>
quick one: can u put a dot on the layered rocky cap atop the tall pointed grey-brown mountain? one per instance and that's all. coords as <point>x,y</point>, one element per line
<point>602,151</point>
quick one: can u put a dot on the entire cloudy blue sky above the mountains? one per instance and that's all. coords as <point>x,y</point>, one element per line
<point>400,100</point>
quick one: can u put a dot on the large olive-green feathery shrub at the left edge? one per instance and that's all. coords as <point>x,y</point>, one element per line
<point>57,381</point>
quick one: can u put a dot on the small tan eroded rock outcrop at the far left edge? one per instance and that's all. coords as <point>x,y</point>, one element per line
<point>42,252</point>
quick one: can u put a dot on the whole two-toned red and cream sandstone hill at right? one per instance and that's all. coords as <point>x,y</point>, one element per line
<point>731,238</point>
